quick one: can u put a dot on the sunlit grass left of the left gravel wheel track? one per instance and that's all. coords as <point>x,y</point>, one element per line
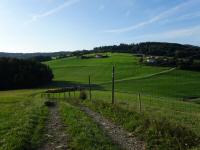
<point>22,118</point>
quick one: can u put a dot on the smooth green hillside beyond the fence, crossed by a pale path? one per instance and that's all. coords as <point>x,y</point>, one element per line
<point>135,77</point>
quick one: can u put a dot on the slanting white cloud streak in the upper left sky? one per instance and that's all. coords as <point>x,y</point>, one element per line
<point>52,11</point>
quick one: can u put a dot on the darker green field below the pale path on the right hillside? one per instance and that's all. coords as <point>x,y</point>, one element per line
<point>177,83</point>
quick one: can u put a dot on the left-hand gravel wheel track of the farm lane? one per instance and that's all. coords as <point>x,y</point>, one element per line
<point>55,134</point>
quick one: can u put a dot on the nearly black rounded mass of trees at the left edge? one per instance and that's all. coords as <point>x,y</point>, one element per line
<point>18,73</point>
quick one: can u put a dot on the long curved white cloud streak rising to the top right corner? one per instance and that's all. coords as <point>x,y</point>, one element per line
<point>155,19</point>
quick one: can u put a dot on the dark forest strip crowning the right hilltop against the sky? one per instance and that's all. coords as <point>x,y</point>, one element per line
<point>154,49</point>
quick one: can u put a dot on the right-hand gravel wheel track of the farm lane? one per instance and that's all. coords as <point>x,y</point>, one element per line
<point>123,138</point>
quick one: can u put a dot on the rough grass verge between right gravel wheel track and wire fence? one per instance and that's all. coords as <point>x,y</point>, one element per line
<point>159,134</point>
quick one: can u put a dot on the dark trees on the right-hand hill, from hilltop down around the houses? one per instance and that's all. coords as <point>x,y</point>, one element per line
<point>169,54</point>
